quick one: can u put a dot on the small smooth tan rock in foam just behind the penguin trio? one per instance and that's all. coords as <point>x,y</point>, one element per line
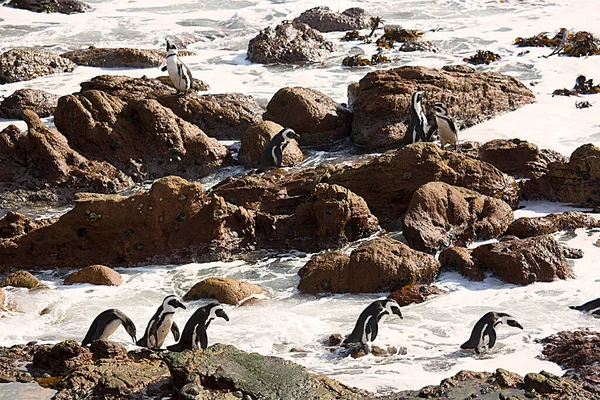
<point>224,290</point>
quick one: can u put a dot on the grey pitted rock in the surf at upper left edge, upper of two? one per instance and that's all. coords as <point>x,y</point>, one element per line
<point>18,65</point>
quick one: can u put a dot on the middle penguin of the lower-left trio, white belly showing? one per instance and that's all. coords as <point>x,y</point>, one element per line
<point>161,323</point>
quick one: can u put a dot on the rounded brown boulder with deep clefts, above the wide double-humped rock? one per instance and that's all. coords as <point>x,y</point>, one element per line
<point>440,215</point>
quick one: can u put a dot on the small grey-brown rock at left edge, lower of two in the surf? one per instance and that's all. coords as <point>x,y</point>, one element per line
<point>39,101</point>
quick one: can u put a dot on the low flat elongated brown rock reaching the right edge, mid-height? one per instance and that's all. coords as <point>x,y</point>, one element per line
<point>536,226</point>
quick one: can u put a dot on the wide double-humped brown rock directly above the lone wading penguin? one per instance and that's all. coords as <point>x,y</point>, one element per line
<point>379,265</point>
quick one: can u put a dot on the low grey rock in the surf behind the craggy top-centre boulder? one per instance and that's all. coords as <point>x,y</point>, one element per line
<point>324,19</point>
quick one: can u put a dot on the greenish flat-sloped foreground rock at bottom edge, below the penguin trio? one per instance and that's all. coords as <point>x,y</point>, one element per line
<point>255,376</point>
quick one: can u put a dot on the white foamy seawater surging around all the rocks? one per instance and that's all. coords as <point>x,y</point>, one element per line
<point>430,332</point>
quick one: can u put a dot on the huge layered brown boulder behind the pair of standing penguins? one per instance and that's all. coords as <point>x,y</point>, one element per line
<point>381,100</point>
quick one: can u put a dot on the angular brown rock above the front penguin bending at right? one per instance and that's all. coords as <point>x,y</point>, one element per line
<point>524,261</point>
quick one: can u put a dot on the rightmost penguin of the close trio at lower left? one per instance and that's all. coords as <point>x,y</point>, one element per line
<point>194,334</point>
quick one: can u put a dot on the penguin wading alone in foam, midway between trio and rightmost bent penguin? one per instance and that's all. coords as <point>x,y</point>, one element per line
<point>366,328</point>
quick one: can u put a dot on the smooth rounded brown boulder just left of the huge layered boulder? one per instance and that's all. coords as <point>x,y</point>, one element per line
<point>316,117</point>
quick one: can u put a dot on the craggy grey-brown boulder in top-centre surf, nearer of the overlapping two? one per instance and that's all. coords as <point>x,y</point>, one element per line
<point>288,43</point>
